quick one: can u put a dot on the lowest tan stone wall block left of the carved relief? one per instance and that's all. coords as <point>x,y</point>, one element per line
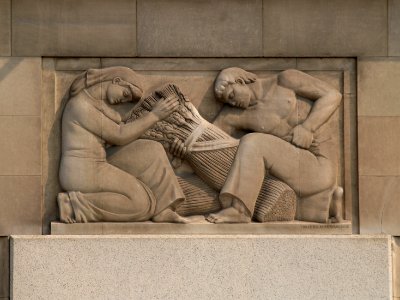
<point>20,205</point>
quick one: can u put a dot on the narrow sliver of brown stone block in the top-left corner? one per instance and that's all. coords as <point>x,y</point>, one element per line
<point>5,27</point>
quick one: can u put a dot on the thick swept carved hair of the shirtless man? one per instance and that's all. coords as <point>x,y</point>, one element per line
<point>229,76</point>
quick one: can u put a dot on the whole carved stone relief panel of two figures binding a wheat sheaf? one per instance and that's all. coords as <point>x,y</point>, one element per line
<point>198,142</point>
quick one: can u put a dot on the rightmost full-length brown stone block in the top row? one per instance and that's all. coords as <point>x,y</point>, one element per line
<point>320,28</point>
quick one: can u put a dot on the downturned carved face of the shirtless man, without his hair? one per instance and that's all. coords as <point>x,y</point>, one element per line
<point>237,94</point>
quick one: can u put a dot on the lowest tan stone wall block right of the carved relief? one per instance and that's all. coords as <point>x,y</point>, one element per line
<point>378,195</point>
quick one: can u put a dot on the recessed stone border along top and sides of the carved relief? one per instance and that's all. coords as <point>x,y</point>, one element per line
<point>58,73</point>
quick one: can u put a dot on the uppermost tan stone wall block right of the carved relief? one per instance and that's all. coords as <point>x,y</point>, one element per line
<point>378,81</point>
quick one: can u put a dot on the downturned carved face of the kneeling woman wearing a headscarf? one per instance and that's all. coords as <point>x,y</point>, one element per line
<point>121,92</point>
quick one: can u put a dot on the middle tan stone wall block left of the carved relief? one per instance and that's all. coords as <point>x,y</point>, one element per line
<point>20,145</point>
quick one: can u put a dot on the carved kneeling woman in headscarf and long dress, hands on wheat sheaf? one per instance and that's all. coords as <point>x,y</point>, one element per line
<point>97,190</point>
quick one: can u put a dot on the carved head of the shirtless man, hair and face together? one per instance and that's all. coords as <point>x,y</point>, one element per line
<point>231,86</point>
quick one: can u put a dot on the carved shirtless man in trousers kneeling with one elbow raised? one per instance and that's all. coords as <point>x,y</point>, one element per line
<point>291,140</point>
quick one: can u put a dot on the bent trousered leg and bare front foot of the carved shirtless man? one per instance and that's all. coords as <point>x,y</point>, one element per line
<point>260,153</point>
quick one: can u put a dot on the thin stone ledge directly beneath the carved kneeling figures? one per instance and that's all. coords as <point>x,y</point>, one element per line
<point>295,227</point>
